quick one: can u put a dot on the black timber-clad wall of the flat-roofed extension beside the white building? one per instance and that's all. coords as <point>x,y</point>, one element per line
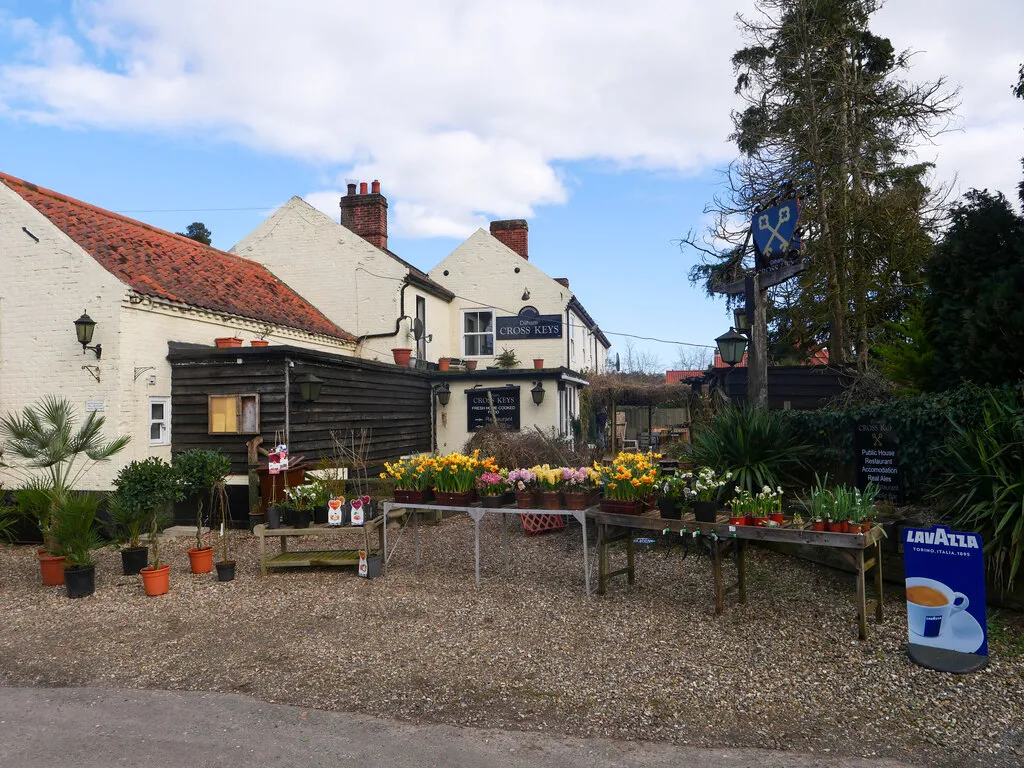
<point>392,404</point>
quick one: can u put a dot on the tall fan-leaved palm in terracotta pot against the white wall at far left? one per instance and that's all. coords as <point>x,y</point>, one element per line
<point>52,452</point>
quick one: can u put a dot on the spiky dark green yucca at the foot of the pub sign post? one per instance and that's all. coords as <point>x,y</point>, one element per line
<point>758,447</point>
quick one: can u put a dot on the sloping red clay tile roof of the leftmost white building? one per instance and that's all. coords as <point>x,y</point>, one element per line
<point>170,267</point>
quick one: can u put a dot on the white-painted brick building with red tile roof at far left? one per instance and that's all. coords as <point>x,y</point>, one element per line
<point>144,288</point>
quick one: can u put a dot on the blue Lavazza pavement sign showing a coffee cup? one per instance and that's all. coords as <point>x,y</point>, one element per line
<point>946,599</point>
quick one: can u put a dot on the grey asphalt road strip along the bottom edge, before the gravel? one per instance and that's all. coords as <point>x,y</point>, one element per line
<point>100,729</point>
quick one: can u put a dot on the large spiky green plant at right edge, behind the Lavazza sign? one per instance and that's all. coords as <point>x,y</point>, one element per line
<point>984,488</point>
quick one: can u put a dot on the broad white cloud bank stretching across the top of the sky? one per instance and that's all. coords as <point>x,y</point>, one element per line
<point>464,111</point>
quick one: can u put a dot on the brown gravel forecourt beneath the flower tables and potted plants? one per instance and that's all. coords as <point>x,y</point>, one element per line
<point>528,651</point>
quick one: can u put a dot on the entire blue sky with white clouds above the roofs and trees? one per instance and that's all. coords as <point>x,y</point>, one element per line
<point>604,125</point>
